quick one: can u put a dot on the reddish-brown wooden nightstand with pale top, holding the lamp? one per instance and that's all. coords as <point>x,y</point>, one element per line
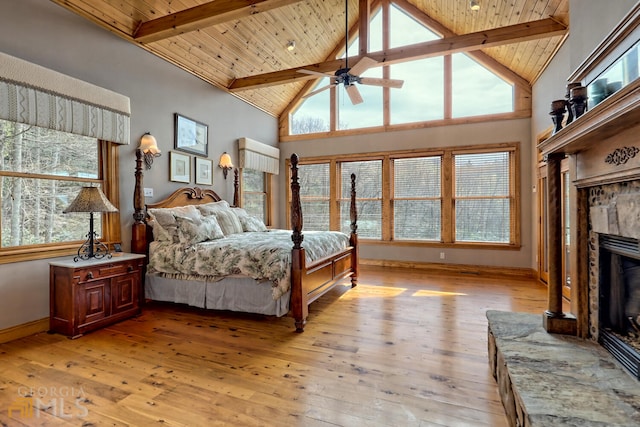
<point>90,294</point>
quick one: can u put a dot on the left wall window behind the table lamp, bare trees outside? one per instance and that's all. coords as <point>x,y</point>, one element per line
<point>41,172</point>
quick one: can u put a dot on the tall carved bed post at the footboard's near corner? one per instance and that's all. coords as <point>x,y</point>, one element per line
<point>299,304</point>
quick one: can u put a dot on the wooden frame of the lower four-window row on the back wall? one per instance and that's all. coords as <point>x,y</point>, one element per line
<point>447,193</point>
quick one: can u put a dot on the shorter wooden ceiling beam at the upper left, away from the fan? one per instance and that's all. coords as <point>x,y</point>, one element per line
<point>201,16</point>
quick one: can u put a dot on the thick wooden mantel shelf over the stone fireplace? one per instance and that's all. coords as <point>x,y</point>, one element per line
<point>618,112</point>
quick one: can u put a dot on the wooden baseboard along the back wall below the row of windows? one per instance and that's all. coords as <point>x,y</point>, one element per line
<point>476,270</point>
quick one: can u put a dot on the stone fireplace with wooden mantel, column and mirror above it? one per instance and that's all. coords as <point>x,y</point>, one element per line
<point>602,148</point>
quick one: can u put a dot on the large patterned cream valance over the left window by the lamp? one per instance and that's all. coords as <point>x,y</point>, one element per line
<point>35,95</point>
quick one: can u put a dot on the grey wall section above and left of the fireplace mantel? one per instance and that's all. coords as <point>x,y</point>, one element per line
<point>591,21</point>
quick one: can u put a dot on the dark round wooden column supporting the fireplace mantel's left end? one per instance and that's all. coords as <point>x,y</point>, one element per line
<point>554,319</point>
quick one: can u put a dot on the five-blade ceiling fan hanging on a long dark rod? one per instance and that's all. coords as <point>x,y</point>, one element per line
<point>350,76</point>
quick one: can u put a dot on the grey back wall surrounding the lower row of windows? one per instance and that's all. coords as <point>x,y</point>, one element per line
<point>444,136</point>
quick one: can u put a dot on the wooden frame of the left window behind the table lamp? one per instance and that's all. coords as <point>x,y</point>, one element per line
<point>108,179</point>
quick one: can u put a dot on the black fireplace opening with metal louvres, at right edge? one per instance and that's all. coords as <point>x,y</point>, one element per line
<point>619,305</point>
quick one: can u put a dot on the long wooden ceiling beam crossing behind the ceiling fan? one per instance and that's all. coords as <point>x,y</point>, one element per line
<point>533,30</point>
